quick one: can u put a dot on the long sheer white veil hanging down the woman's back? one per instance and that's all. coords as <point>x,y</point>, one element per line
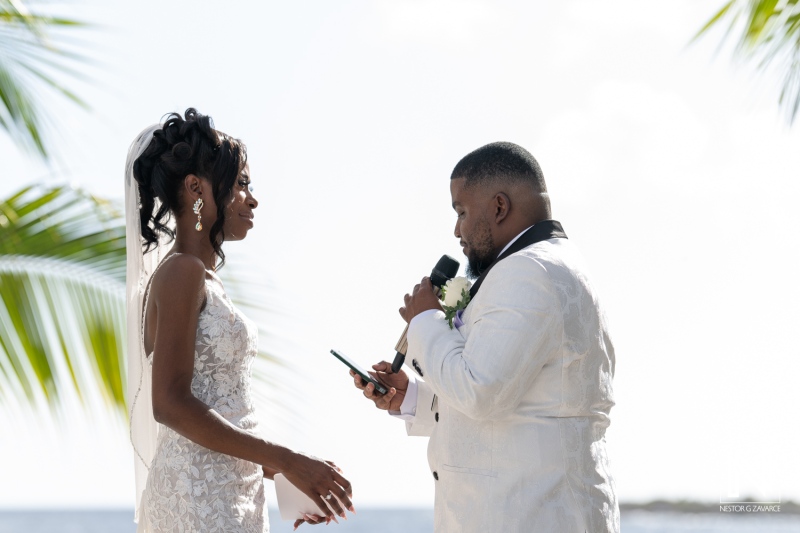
<point>144,428</point>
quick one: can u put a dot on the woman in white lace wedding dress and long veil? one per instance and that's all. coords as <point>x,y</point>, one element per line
<point>200,462</point>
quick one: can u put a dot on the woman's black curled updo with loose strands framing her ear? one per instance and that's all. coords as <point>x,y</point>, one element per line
<point>185,145</point>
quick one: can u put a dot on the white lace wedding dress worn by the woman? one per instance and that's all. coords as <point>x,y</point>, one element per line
<point>191,488</point>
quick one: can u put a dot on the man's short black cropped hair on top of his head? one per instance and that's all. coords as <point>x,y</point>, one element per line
<point>500,162</point>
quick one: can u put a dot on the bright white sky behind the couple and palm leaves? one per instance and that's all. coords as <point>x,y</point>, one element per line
<point>670,166</point>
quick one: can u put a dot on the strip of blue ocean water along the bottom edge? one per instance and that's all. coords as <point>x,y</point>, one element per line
<point>400,521</point>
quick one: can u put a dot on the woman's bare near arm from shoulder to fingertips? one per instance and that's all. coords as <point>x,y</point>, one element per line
<point>178,292</point>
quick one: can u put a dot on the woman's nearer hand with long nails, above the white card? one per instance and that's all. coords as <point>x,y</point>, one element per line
<point>321,480</point>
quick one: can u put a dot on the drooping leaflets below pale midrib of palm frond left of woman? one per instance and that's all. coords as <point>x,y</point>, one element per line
<point>61,324</point>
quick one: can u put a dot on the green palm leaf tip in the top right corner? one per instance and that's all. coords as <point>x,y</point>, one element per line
<point>769,34</point>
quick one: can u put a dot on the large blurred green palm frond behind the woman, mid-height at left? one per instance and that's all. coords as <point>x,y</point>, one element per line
<point>62,297</point>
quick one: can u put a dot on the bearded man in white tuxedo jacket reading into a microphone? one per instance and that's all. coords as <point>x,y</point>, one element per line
<point>516,397</point>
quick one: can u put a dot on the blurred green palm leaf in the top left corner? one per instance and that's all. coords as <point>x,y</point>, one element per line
<point>29,56</point>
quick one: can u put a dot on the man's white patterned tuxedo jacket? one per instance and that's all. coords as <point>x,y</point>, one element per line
<point>517,401</point>
